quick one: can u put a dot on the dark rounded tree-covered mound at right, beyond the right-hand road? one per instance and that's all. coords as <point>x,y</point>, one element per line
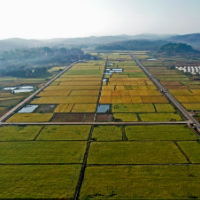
<point>174,48</point>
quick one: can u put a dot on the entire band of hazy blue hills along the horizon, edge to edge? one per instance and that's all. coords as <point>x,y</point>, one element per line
<point>19,43</point>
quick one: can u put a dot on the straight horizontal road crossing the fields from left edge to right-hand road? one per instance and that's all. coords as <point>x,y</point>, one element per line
<point>95,123</point>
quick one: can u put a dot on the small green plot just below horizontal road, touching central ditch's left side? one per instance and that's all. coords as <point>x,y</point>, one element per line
<point>65,132</point>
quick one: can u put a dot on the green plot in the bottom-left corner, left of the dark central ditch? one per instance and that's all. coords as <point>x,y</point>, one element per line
<point>38,181</point>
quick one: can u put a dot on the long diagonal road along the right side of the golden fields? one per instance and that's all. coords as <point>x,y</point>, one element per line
<point>168,95</point>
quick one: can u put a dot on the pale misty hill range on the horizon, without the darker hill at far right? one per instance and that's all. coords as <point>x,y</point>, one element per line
<point>18,43</point>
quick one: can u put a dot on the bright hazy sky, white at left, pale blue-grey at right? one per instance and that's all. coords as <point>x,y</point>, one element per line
<point>42,19</point>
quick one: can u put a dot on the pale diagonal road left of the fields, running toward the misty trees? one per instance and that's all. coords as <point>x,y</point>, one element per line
<point>29,98</point>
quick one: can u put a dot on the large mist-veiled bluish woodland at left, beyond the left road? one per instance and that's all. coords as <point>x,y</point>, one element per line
<point>33,62</point>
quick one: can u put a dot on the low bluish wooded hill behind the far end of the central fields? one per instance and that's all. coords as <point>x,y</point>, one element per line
<point>135,45</point>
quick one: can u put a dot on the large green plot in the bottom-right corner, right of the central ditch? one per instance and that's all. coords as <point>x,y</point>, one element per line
<point>141,182</point>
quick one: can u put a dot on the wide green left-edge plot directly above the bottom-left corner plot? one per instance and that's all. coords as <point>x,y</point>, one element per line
<point>42,152</point>
